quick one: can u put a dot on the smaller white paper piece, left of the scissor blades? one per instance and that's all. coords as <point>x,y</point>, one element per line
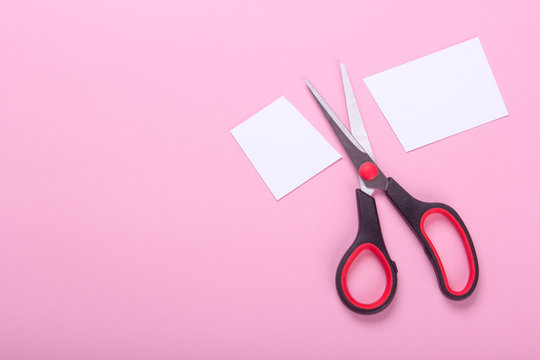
<point>284,147</point>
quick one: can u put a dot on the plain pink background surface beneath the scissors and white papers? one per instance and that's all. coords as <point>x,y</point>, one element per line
<point>132,226</point>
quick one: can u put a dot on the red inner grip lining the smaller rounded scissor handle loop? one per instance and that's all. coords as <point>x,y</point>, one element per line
<point>388,272</point>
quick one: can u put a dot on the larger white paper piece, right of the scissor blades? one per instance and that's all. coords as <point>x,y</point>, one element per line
<point>438,95</point>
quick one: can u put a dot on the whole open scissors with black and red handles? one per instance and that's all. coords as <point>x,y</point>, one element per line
<point>413,211</point>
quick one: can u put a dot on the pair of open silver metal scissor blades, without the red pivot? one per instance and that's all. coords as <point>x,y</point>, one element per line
<point>356,144</point>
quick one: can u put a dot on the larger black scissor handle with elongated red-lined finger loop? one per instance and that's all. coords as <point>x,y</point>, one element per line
<point>415,213</point>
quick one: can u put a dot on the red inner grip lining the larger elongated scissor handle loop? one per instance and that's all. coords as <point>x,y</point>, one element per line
<point>466,244</point>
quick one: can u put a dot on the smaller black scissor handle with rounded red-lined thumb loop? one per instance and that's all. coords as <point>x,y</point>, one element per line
<point>369,238</point>
